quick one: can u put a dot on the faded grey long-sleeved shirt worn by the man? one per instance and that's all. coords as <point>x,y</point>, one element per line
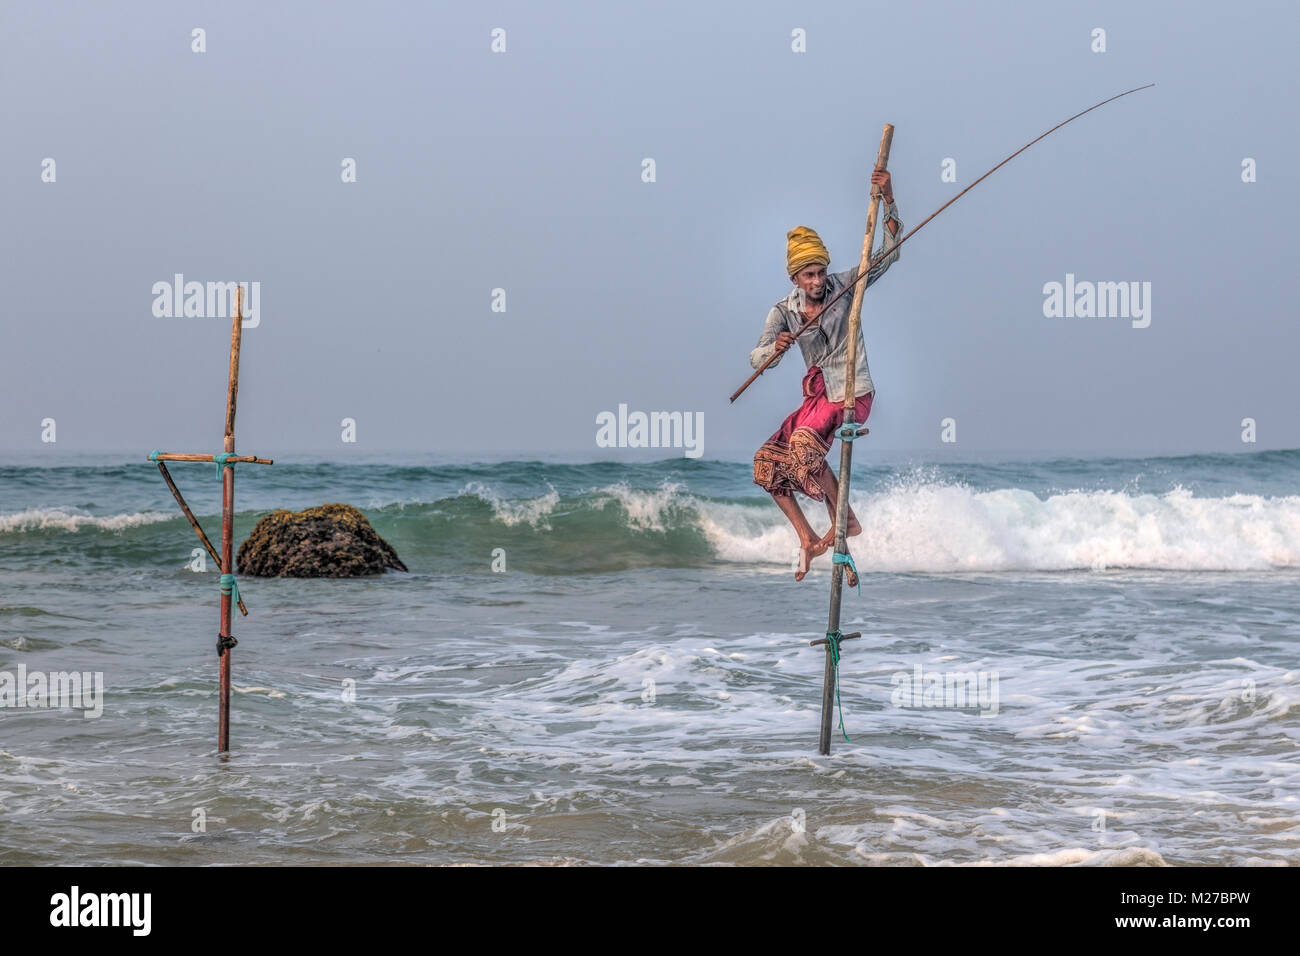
<point>827,343</point>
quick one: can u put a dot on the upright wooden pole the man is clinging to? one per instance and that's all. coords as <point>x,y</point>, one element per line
<point>848,431</point>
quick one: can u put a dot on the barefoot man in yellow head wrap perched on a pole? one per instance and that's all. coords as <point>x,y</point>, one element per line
<point>795,458</point>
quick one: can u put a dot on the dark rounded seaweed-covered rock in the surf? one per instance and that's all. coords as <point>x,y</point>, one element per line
<point>324,542</point>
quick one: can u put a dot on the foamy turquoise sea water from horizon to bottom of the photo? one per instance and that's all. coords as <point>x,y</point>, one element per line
<point>636,684</point>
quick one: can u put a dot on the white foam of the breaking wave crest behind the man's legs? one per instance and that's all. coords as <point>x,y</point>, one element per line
<point>948,527</point>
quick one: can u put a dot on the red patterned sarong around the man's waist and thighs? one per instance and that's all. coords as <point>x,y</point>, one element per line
<point>792,458</point>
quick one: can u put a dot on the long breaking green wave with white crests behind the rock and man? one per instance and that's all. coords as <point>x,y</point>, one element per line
<point>915,522</point>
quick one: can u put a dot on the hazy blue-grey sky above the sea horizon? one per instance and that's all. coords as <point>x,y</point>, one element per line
<point>523,171</point>
